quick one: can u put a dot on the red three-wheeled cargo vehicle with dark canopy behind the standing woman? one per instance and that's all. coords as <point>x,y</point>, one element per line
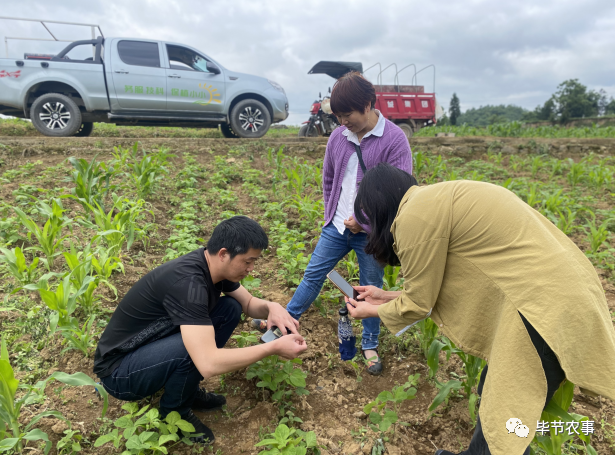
<point>408,106</point>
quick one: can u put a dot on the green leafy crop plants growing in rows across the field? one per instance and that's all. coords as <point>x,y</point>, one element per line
<point>95,228</point>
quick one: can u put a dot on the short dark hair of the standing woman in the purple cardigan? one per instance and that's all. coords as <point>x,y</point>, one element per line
<point>352,92</point>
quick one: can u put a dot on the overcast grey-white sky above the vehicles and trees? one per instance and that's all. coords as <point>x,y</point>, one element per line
<point>488,52</point>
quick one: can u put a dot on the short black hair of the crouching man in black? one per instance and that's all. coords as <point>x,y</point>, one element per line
<point>237,234</point>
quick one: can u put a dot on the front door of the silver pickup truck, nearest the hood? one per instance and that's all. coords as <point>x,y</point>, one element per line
<point>192,82</point>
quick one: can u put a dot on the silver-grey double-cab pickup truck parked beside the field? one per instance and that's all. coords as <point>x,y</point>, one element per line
<point>130,81</point>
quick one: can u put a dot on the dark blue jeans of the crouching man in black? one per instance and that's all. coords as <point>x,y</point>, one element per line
<point>166,363</point>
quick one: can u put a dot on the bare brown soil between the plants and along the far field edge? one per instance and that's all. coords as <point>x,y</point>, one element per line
<point>333,409</point>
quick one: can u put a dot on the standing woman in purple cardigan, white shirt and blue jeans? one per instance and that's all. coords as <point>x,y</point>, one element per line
<point>365,139</point>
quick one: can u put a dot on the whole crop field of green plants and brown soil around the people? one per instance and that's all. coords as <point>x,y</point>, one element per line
<point>77,232</point>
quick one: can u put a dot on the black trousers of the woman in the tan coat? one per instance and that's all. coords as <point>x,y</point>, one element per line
<point>553,372</point>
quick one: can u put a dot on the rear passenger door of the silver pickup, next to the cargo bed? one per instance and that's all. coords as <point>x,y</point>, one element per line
<point>139,80</point>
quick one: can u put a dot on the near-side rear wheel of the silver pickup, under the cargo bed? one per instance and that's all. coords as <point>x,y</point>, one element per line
<point>55,115</point>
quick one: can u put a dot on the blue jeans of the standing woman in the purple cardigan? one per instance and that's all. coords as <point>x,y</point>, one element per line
<point>331,248</point>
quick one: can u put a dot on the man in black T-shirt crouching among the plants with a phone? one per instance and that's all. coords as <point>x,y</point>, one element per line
<point>169,329</point>
